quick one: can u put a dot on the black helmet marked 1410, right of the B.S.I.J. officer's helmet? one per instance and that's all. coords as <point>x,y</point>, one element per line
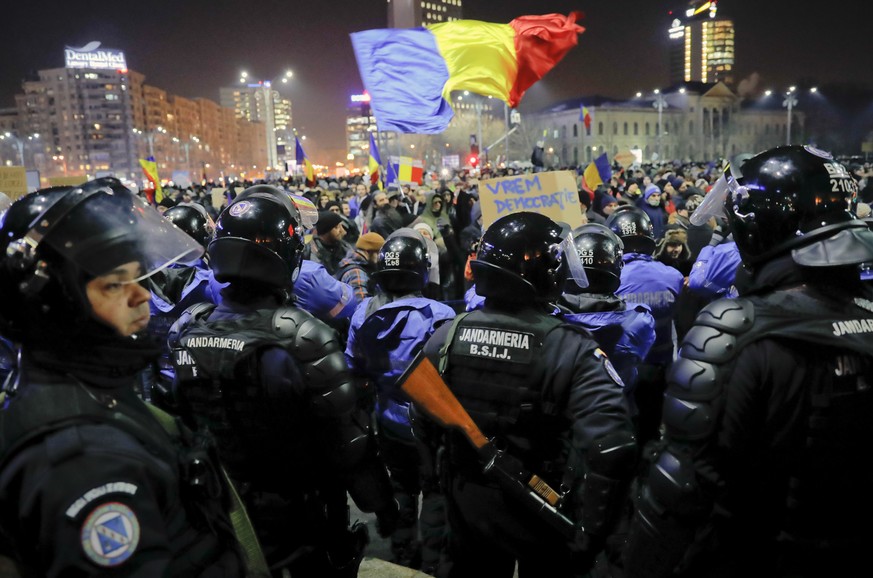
<point>600,251</point>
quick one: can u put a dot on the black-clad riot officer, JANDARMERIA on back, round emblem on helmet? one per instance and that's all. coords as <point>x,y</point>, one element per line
<point>270,381</point>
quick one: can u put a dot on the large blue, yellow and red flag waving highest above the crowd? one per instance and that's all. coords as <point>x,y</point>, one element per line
<point>410,73</point>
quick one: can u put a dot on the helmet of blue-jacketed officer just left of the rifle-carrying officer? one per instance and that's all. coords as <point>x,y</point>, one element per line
<point>403,263</point>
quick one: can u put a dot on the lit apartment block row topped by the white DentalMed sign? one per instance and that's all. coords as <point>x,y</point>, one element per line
<point>95,117</point>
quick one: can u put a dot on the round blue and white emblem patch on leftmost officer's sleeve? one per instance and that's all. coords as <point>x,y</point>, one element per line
<point>110,534</point>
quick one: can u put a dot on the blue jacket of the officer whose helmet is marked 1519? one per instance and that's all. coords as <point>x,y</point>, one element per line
<point>646,281</point>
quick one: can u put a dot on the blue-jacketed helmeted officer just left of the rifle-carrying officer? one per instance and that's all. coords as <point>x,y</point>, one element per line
<point>387,331</point>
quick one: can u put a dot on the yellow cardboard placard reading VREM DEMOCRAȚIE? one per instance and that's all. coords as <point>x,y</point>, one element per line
<point>553,194</point>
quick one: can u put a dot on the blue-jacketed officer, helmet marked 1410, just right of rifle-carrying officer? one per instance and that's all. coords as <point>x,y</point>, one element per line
<point>625,331</point>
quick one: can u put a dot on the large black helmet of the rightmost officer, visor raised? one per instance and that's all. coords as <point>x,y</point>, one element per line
<point>792,198</point>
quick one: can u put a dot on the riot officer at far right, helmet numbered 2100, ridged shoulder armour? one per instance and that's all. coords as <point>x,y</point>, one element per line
<point>767,411</point>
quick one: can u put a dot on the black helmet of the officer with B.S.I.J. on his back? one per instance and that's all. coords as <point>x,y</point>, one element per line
<point>524,258</point>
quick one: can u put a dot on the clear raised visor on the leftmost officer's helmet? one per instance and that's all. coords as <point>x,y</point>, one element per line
<point>108,227</point>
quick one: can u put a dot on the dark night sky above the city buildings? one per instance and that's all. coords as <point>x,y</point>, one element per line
<point>193,47</point>
